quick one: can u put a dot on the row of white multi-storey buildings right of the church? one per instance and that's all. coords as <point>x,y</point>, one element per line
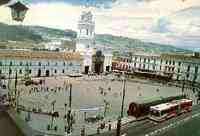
<point>177,67</point>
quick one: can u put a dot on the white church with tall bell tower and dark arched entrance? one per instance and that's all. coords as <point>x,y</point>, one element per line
<point>94,60</point>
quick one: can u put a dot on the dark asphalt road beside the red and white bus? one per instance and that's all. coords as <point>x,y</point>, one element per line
<point>183,125</point>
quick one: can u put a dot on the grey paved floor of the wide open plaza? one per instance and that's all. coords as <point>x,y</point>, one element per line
<point>88,92</point>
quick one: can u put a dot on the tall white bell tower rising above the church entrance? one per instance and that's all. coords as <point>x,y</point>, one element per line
<point>86,31</point>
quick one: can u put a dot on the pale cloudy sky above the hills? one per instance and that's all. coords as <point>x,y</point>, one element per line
<point>174,22</point>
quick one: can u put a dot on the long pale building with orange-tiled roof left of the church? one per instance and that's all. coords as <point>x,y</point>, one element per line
<point>38,63</point>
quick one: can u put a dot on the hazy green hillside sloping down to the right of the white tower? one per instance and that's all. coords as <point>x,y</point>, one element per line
<point>129,43</point>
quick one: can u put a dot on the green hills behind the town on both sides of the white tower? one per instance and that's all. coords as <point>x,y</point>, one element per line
<point>35,35</point>
